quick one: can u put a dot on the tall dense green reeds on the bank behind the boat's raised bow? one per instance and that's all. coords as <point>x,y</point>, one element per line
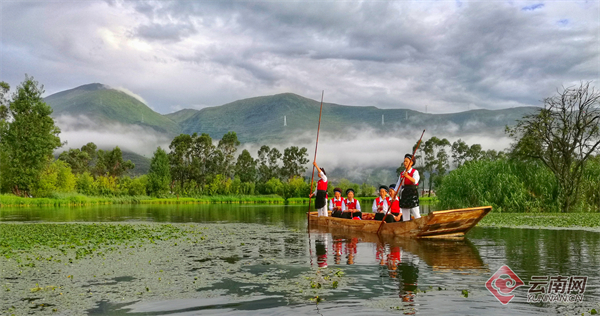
<point>510,186</point>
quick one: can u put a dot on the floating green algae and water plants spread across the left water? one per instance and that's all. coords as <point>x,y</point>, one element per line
<point>128,263</point>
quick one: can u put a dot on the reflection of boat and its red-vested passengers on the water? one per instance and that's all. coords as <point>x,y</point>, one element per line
<point>398,258</point>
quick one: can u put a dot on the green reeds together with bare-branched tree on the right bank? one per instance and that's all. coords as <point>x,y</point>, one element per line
<point>553,163</point>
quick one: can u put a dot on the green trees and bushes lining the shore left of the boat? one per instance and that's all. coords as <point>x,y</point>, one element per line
<point>195,164</point>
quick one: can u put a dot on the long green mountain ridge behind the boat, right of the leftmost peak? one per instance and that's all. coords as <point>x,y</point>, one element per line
<point>261,119</point>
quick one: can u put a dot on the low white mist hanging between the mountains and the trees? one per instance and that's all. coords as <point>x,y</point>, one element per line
<point>358,154</point>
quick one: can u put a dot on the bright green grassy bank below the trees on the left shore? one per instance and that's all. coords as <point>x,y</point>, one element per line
<point>82,200</point>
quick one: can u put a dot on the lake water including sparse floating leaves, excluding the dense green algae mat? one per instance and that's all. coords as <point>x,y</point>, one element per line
<point>261,259</point>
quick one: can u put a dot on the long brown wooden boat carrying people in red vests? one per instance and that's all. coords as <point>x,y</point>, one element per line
<point>438,224</point>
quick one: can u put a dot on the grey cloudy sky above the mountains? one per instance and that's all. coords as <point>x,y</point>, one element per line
<point>448,55</point>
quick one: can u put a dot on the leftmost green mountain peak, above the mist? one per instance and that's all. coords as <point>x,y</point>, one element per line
<point>105,104</point>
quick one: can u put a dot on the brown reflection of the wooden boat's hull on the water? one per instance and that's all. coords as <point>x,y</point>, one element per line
<point>440,254</point>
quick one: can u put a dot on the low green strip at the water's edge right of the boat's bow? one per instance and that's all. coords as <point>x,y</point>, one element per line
<point>558,220</point>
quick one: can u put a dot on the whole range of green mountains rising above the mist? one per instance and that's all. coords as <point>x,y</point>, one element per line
<point>261,119</point>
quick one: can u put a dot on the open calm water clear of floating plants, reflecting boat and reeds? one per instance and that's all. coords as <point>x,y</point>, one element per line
<point>412,276</point>
